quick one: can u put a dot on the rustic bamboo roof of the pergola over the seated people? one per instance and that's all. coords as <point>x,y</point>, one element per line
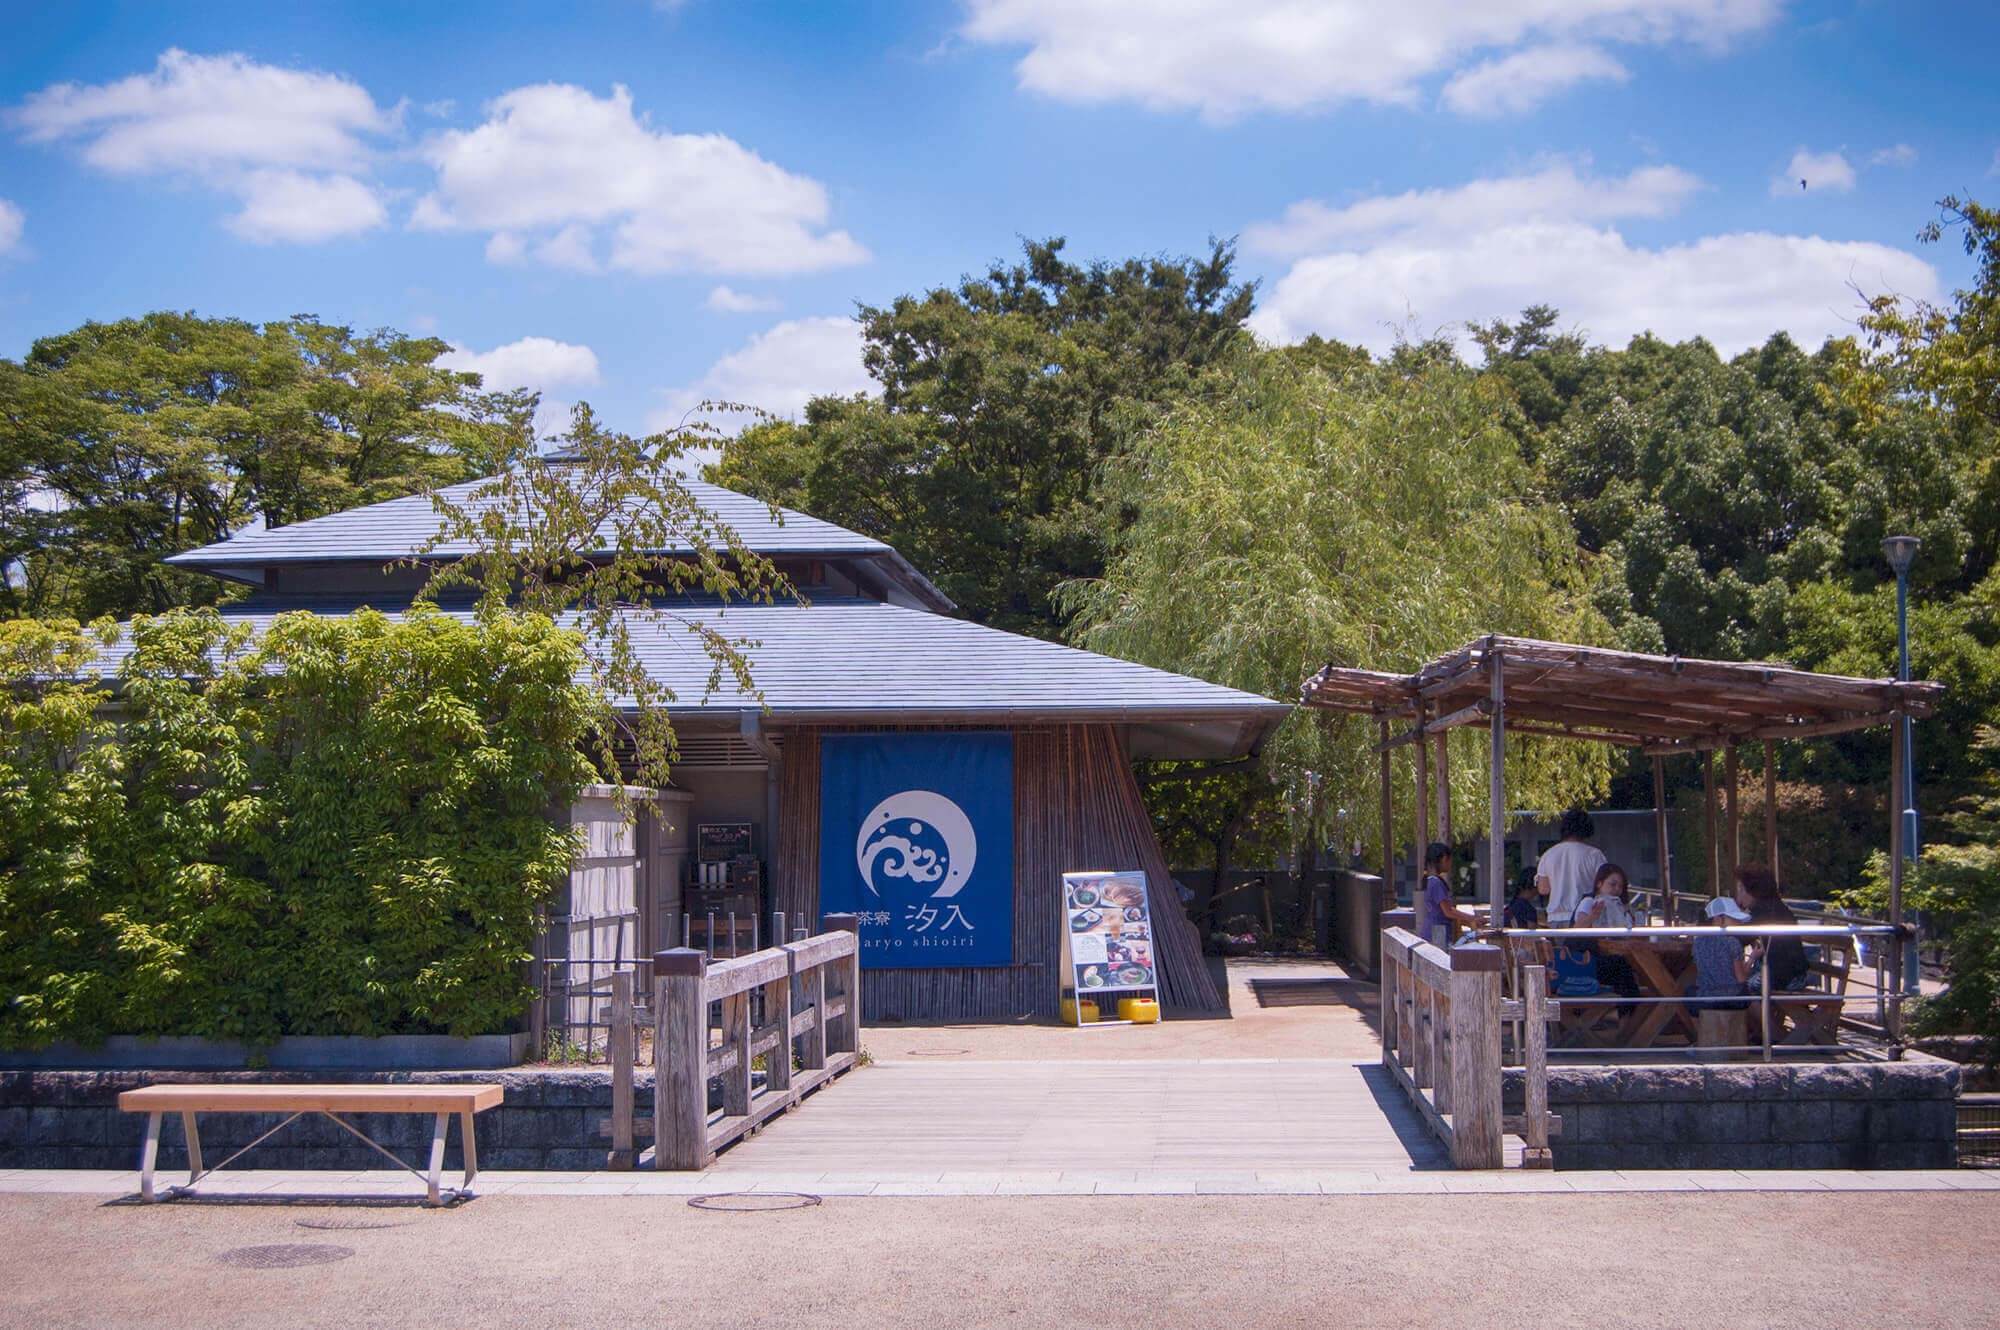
<point>1663,705</point>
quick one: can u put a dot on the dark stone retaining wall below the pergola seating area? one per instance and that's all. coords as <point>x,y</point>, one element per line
<point>1783,1115</point>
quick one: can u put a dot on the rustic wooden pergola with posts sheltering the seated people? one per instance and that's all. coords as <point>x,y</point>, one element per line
<point>1659,705</point>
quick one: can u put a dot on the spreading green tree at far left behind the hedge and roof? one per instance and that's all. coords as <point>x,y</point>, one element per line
<point>133,441</point>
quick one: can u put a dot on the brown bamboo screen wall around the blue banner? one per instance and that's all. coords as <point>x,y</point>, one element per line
<point>1075,807</point>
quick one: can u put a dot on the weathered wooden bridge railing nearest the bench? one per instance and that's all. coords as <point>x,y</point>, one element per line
<point>797,1001</point>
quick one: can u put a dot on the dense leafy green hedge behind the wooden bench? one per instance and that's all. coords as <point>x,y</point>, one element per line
<point>339,829</point>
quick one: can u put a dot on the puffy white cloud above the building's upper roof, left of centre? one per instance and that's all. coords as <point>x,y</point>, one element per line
<point>557,171</point>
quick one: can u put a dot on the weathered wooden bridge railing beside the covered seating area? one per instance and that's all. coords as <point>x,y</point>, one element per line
<point>1441,1041</point>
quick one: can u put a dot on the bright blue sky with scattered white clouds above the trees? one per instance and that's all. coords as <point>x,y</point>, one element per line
<point>643,205</point>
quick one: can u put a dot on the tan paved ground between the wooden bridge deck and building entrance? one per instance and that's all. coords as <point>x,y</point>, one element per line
<point>1319,1013</point>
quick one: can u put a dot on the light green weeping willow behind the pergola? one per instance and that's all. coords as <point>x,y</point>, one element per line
<point>1377,517</point>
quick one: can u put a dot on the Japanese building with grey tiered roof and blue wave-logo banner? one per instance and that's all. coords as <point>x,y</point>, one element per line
<point>931,775</point>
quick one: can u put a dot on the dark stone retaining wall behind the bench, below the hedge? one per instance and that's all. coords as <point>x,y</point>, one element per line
<point>71,1121</point>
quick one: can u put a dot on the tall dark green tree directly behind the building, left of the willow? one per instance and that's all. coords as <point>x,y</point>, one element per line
<point>1001,401</point>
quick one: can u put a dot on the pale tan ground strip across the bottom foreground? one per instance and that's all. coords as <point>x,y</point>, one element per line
<point>1747,1259</point>
